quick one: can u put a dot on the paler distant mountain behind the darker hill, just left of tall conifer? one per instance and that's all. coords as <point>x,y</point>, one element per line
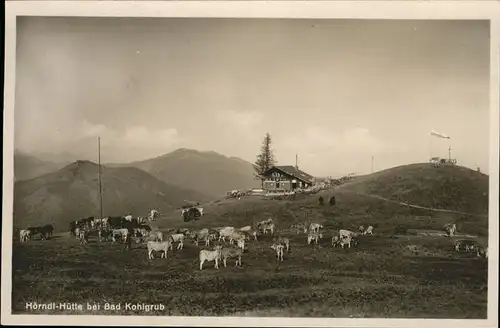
<point>207,172</point>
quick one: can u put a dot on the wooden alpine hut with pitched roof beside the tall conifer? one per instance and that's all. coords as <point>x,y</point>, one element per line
<point>286,178</point>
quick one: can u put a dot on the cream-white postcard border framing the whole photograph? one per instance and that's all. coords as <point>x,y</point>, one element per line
<point>489,10</point>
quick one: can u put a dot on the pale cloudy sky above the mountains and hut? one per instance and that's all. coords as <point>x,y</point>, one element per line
<point>334,92</point>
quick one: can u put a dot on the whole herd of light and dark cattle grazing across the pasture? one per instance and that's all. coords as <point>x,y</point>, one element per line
<point>128,228</point>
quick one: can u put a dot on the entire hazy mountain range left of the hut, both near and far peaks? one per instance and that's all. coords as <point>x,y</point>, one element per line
<point>58,188</point>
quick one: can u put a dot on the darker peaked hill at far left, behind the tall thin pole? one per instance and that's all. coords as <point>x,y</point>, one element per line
<point>72,192</point>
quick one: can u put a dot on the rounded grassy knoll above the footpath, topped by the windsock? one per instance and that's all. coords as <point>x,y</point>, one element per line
<point>448,187</point>
